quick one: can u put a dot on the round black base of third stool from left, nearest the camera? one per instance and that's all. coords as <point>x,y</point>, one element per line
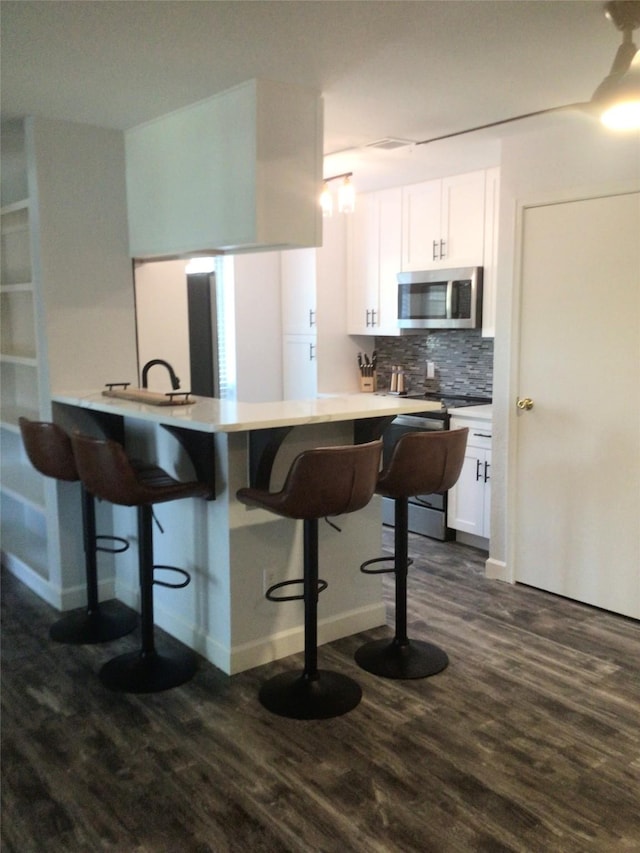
<point>299,697</point>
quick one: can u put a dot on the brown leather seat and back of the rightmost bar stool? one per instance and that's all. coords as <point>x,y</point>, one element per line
<point>423,463</point>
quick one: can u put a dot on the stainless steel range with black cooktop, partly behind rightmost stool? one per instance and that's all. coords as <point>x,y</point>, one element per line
<point>427,513</point>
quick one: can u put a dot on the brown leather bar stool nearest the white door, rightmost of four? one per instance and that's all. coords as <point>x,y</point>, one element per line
<point>422,463</point>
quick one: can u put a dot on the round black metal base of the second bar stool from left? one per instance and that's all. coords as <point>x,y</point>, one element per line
<point>137,672</point>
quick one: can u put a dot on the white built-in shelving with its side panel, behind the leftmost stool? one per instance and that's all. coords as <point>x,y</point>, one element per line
<point>67,320</point>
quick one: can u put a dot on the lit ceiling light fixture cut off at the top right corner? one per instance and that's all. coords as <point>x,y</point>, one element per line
<point>617,98</point>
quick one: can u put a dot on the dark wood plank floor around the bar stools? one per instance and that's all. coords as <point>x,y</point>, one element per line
<point>529,741</point>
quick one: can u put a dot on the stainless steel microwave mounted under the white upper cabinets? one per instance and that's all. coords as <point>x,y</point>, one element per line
<point>440,299</point>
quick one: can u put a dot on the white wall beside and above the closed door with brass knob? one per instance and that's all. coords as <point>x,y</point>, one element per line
<point>571,156</point>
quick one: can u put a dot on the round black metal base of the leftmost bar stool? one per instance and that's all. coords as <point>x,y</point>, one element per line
<point>109,621</point>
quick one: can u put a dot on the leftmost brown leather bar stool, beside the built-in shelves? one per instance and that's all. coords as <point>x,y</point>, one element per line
<point>48,448</point>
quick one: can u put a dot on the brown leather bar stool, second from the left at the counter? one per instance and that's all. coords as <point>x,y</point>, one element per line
<point>109,474</point>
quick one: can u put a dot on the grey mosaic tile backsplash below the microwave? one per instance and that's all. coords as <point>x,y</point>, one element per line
<point>463,361</point>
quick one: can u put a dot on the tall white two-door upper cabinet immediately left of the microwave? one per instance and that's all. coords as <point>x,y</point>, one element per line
<point>374,260</point>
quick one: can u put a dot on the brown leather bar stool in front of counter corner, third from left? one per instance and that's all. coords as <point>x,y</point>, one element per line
<point>323,482</point>
